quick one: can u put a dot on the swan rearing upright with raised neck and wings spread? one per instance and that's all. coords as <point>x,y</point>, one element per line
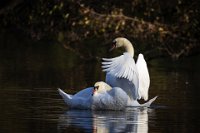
<point>123,72</point>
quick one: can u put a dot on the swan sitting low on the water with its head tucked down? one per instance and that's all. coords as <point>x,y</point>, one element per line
<point>101,96</point>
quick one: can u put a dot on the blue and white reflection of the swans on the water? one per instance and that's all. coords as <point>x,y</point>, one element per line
<point>132,120</point>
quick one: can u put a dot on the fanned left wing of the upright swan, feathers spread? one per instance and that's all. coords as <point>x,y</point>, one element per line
<point>122,72</point>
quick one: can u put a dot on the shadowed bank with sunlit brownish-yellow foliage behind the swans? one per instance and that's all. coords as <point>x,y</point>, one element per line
<point>156,27</point>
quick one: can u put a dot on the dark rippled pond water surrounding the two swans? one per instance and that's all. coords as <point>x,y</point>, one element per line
<point>29,101</point>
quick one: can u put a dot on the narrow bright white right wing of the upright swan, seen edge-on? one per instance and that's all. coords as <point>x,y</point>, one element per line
<point>144,80</point>
